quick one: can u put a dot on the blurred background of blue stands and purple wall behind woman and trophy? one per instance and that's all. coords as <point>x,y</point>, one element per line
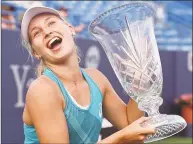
<point>173,31</point>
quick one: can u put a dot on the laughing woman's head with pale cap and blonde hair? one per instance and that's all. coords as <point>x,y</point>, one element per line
<point>52,25</point>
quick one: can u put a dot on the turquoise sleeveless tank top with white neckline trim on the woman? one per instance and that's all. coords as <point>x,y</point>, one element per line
<point>84,123</point>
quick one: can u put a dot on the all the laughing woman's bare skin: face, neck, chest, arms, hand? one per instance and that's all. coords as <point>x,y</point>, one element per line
<point>45,103</point>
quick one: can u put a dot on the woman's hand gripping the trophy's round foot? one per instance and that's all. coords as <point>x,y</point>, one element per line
<point>135,133</point>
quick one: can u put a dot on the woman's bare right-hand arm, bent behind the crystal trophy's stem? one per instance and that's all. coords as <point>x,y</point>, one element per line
<point>114,109</point>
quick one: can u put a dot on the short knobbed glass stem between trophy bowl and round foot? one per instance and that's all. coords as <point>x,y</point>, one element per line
<point>150,105</point>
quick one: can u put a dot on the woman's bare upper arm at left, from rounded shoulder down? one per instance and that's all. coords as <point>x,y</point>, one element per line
<point>45,107</point>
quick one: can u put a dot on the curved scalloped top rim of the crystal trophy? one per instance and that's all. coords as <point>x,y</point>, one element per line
<point>105,13</point>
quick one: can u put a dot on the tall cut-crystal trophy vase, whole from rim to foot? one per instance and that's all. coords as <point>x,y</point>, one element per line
<point>127,36</point>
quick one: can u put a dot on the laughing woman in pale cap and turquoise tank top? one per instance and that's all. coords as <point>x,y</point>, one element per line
<point>66,103</point>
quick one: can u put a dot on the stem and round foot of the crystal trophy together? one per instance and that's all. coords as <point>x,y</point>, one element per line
<point>165,125</point>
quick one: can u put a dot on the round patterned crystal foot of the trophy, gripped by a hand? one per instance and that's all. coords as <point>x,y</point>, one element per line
<point>165,125</point>
